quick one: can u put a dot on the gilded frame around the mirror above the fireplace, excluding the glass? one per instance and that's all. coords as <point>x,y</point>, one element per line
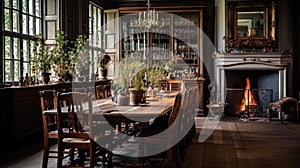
<point>267,7</point>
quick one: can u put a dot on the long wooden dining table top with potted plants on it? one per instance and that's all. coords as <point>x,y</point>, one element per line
<point>106,109</point>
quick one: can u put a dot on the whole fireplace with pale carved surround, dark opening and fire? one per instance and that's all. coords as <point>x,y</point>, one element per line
<point>268,73</point>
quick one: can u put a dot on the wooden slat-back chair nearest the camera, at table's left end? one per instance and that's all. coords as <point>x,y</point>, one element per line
<point>78,106</point>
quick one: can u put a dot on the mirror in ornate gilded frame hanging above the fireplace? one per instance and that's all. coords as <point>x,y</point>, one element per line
<point>252,20</point>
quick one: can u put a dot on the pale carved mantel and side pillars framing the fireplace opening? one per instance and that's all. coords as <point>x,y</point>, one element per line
<point>252,61</point>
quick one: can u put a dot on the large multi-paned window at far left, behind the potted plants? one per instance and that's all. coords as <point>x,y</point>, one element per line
<point>22,20</point>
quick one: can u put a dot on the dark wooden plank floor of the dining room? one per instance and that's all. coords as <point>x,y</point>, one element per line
<point>233,143</point>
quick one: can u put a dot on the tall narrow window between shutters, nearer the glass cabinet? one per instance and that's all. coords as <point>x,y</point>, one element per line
<point>95,31</point>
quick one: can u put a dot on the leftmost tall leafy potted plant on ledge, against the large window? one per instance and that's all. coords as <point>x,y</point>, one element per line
<point>41,60</point>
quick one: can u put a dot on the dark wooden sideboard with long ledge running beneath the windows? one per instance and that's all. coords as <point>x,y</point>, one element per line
<point>21,116</point>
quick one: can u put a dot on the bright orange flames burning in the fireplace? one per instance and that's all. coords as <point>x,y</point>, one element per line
<point>248,97</point>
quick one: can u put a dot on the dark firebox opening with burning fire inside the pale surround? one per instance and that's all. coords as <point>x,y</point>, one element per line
<point>248,96</point>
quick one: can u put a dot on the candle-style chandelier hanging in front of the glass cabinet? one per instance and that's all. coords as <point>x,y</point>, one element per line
<point>148,18</point>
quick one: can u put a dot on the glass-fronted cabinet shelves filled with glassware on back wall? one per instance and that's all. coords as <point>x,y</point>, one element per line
<point>183,41</point>
